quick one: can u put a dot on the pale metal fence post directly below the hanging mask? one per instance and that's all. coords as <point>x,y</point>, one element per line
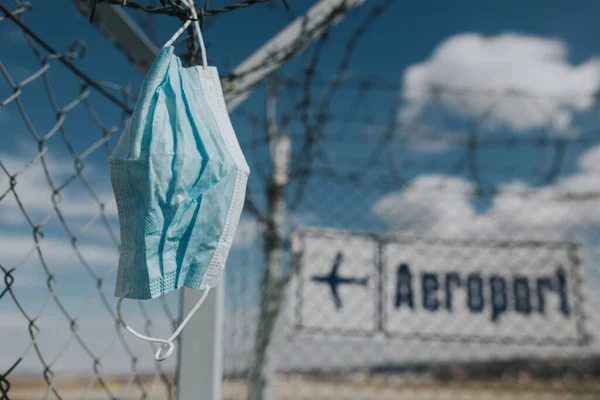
<point>201,349</point>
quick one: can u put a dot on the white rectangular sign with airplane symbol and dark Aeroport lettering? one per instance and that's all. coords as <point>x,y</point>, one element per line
<point>438,290</point>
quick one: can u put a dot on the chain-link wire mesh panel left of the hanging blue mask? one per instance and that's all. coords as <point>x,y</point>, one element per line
<point>59,235</point>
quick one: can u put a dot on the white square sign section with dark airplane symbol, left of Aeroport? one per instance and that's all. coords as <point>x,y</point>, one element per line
<point>336,292</point>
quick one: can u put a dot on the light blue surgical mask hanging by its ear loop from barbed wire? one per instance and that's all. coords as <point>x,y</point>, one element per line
<point>179,179</point>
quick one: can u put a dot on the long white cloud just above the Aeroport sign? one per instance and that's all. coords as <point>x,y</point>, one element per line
<point>442,206</point>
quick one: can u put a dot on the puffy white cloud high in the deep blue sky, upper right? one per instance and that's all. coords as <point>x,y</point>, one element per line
<point>503,63</point>
